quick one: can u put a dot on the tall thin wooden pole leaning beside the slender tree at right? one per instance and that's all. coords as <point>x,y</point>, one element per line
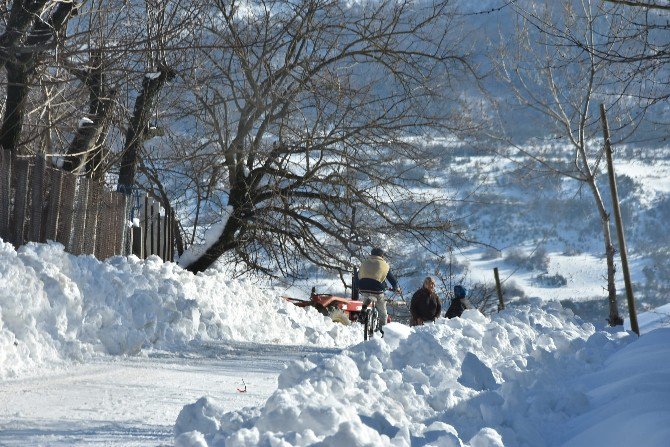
<point>619,224</point>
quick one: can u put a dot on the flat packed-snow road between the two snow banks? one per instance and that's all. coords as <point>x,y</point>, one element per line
<point>134,401</point>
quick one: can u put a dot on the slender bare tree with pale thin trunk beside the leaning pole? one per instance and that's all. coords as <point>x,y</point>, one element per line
<point>555,75</point>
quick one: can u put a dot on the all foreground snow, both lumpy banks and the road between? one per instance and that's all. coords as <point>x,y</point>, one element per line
<point>85,339</point>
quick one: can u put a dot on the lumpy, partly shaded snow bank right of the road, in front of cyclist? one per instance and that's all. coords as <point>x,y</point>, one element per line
<point>519,378</point>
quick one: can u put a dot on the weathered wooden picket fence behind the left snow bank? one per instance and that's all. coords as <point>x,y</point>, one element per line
<point>40,203</point>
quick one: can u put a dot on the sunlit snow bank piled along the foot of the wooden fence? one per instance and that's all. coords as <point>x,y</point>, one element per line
<point>55,306</point>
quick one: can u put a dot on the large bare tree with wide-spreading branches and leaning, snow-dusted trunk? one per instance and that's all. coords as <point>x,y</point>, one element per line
<point>308,109</point>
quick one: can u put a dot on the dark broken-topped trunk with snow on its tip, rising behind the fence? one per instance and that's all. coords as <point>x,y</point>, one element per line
<point>139,124</point>
